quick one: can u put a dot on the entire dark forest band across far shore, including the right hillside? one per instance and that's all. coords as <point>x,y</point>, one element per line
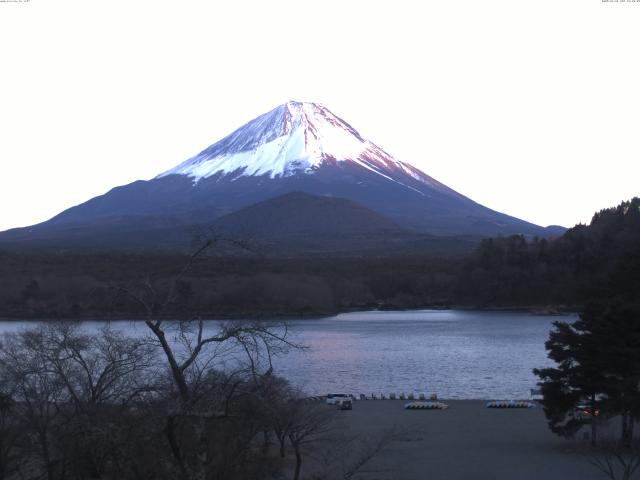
<point>505,272</point>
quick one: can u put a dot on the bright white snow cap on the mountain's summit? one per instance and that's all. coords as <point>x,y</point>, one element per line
<point>296,137</point>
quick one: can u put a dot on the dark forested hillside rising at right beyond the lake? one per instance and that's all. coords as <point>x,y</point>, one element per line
<point>587,261</point>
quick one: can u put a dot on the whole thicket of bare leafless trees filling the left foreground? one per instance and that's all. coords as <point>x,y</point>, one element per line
<point>77,404</point>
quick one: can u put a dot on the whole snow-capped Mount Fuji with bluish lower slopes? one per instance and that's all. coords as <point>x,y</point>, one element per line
<point>296,147</point>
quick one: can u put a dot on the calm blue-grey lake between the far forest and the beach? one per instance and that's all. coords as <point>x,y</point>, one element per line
<point>454,353</point>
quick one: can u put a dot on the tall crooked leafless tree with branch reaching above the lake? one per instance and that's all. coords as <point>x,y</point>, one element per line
<point>214,375</point>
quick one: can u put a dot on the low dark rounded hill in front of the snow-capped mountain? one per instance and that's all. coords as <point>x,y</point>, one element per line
<point>298,223</point>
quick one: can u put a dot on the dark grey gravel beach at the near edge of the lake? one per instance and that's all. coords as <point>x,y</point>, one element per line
<point>466,441</point>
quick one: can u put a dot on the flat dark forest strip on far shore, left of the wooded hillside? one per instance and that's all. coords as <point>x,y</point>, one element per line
<point>69,286</point>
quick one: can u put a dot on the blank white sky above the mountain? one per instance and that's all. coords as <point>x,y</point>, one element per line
<point>529,107</point>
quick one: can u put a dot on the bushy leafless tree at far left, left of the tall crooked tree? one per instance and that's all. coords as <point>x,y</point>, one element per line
<point>71,389</point>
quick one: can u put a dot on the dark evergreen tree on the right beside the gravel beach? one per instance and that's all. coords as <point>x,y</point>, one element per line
<point>598,359</point>
